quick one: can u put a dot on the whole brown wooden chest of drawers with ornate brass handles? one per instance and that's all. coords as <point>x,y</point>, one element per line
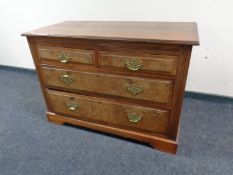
<point>123,78</point>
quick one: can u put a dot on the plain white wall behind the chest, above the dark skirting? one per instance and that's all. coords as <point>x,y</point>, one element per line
<point>211,67</point>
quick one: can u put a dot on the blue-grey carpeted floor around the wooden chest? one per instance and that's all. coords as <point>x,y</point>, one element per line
<point>29,145</point>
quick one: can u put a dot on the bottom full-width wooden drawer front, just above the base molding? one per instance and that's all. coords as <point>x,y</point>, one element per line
<point>113,113</point>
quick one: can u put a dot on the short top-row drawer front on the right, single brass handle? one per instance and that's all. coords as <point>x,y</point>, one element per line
<point>139,63</point>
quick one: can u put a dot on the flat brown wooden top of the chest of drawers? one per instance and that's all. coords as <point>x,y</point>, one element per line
<point>184,33</point>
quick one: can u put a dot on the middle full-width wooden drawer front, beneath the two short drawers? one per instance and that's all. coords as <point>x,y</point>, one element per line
<point>137,88</point>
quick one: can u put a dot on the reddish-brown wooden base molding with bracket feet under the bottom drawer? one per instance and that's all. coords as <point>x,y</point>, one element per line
<point>158,143</point>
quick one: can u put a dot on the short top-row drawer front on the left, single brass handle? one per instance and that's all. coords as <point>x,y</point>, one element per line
<point>66,55</point>
